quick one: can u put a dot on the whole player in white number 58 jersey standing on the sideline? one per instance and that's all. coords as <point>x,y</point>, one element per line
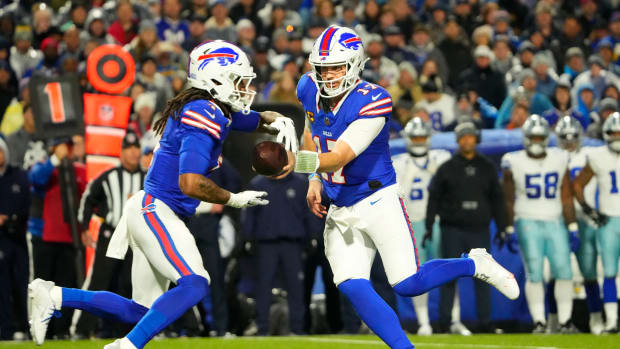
<point>538,192</point>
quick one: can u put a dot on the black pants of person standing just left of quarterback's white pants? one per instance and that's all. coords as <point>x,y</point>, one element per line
<point>314,258</point>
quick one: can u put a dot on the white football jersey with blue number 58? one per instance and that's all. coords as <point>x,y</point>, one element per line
<point>537,183</point>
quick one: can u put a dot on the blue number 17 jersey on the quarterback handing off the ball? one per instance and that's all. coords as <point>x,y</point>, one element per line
<point>370,170</point>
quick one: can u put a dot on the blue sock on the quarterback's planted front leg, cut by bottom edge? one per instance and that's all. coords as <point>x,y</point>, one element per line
<point>381,319</point>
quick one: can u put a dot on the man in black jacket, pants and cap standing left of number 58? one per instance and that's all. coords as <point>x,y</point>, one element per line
<point>466,195</point>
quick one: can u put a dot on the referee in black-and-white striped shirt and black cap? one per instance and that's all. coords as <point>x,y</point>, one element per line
<point>106,196</point>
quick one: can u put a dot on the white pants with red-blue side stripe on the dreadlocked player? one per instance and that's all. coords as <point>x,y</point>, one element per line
<point>163,248</point>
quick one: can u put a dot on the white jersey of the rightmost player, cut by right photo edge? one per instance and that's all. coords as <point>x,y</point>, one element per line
<point>606,167</point>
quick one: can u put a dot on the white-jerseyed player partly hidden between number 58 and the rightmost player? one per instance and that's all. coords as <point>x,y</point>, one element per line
<point>569,133</point>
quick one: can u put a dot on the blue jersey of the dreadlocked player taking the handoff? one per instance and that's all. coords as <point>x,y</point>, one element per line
<point>191,144</point>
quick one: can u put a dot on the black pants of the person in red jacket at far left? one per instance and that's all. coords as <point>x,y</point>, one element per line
<point>56,262</point>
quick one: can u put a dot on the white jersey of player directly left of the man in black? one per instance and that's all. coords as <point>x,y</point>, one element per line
<point>414,176</point>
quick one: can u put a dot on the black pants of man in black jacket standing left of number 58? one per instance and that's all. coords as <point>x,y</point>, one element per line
<point>454,241</point>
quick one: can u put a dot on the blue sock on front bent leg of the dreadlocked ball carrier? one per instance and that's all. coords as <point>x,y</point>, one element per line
<point>169,307</point>
